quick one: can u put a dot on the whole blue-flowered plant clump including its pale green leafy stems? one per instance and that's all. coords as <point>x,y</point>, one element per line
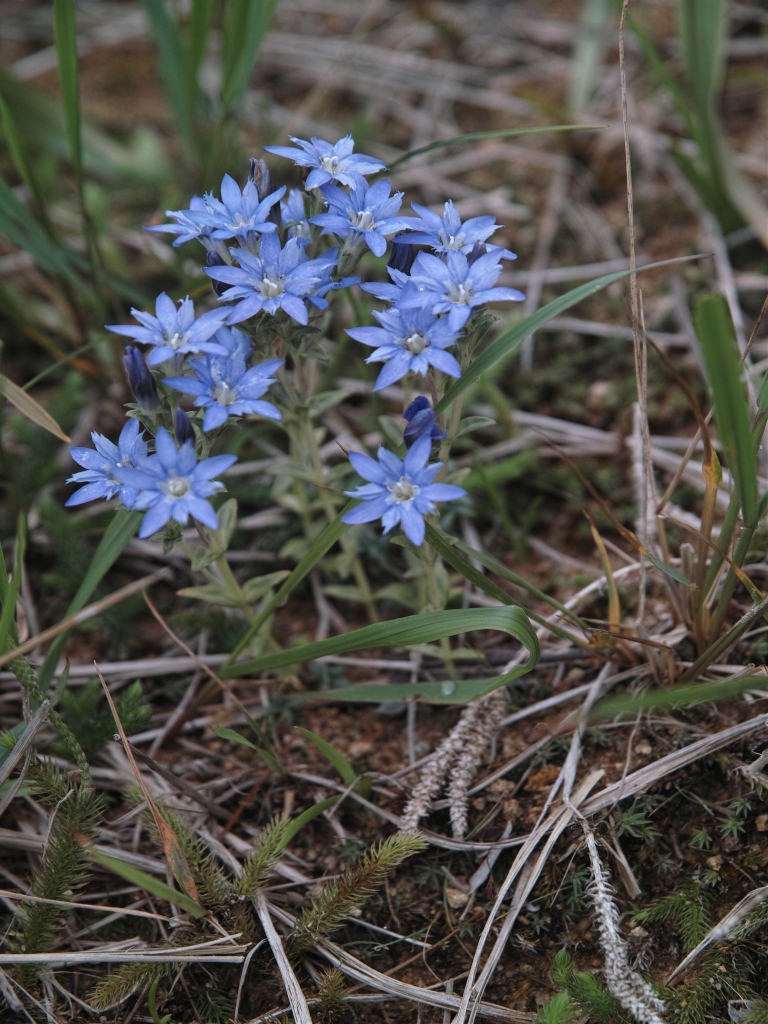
<point>275,259</point>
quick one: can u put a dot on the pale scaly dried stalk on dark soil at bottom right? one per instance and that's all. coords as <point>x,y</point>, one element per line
<point>633,993</point>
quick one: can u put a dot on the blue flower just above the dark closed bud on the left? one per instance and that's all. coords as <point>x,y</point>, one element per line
<point>175,332</point>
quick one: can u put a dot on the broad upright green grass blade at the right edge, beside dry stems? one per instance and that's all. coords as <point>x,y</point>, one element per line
<point>715,332</point>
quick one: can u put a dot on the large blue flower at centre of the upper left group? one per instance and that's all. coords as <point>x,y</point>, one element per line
<point>277,279</point>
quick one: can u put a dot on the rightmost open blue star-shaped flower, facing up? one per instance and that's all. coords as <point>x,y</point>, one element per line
<point>457,286</point>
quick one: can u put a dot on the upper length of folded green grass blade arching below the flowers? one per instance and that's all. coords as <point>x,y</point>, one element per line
<point>398,632</point>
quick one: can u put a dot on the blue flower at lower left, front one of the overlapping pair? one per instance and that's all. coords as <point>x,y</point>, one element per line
<point>173,485</point>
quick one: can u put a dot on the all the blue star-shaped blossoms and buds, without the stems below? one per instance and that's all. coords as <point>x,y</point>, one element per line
<point>258,243</point>
